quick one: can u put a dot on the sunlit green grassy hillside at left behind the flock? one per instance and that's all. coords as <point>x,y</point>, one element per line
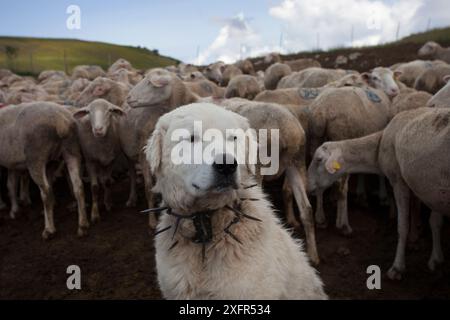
<point>32,55</point>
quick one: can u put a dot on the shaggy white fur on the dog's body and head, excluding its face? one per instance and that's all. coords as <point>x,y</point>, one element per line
<point>269,264</point>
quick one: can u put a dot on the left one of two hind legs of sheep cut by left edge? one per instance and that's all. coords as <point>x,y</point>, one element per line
<point>38,173</point>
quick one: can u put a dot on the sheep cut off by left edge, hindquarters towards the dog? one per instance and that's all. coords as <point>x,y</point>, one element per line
<point>42,132</point>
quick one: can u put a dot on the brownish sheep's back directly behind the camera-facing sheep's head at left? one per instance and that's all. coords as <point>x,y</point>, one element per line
<point>110,90</point>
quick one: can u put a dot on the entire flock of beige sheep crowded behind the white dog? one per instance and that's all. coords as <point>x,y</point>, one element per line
<point>392,121</point>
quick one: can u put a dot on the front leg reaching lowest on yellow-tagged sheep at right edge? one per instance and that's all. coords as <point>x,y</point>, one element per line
<point>402,194</point>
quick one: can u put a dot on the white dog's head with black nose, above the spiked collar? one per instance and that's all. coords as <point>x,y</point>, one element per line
<point>200,155</point>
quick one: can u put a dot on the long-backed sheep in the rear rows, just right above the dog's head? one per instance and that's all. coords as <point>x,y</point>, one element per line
<point>311,78</point>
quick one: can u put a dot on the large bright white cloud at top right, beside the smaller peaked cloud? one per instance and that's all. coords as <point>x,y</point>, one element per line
<point>326,24</point>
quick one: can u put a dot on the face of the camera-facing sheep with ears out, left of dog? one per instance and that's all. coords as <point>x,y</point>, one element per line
<point>100,114</point>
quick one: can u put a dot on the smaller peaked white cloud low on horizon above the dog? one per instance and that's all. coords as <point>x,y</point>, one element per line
<point>236,40</point>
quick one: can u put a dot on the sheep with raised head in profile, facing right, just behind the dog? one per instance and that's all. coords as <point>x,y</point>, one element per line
<point>159,92</point>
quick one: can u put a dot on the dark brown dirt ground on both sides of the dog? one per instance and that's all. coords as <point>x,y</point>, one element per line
<point>117,258</point>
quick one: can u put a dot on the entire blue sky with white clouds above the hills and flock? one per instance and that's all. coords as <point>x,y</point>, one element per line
<point>202,31</point>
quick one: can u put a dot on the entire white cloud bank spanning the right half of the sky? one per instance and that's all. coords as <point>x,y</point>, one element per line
<point>324,24</point>
